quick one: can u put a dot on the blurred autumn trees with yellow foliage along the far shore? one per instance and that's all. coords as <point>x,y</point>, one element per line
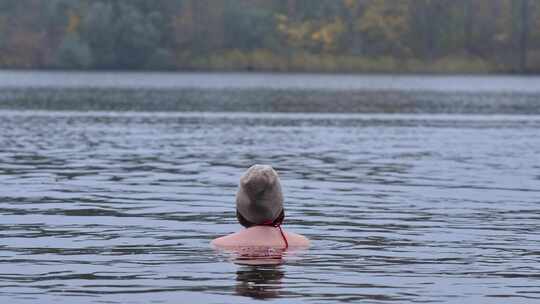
<point>280,35</point>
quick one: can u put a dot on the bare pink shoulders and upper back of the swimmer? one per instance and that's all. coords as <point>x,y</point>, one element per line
<point>261,236</point>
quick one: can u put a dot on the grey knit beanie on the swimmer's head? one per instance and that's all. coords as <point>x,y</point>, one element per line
<point>259,198</point>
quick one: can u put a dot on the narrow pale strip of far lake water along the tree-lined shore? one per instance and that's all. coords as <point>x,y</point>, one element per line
<point>131,80</point>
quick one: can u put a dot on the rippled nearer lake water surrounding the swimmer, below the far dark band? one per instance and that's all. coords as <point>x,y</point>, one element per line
<point>120,207</point>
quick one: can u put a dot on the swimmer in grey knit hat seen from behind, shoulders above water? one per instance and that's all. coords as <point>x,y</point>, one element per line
<point>259,208</point>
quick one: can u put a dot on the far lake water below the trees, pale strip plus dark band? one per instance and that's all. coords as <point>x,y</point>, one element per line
<point>267,92</point>
